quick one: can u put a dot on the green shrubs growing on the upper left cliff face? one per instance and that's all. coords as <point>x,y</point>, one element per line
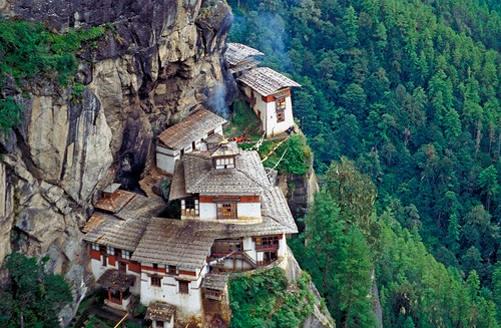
<point>29,50</point>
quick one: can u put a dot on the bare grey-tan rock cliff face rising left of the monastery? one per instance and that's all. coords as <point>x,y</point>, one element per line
<point>158,59</point>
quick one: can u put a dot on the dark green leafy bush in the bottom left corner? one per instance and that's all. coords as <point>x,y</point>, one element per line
<point>32,297</point>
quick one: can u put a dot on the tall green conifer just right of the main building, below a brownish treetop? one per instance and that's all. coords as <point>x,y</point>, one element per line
<point>338,259</point>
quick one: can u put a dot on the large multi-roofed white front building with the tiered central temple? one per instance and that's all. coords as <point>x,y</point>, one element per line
<point>178,267</point>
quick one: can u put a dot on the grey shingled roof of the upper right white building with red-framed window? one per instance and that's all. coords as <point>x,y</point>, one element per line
<point>266,81</point>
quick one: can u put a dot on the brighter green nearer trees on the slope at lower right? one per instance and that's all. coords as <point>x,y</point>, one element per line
<point>346,242</point>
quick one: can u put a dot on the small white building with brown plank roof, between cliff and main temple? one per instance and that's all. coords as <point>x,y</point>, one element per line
<point>184,137</point>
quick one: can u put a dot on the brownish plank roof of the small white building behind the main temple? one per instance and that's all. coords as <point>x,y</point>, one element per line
<point>193,128</point>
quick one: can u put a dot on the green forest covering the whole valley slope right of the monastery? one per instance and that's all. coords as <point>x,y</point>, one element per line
<point>400,102</point>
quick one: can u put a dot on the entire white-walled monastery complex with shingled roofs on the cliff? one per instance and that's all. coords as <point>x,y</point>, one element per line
<point>231,216</point>
